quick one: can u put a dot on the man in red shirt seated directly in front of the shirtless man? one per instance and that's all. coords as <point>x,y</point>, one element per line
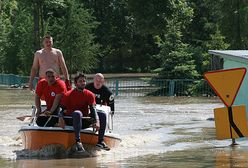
<point>52,89</point>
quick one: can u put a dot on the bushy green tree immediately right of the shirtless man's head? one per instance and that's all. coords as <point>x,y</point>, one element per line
<point>78,42</point>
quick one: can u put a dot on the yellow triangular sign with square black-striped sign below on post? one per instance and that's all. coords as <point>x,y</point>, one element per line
<point>230,121</point>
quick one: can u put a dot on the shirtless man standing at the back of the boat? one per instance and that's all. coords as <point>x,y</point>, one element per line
<point>46,58</point>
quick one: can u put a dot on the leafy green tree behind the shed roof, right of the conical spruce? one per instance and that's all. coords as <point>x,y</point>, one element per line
<point>203,33</point>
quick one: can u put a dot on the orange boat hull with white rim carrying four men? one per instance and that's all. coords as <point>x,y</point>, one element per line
<point>35,137</point>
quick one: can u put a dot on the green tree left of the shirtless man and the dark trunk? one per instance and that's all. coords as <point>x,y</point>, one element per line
<point>22,41</point>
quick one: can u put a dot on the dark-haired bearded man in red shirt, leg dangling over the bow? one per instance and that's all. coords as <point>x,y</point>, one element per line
<point>77,103</point>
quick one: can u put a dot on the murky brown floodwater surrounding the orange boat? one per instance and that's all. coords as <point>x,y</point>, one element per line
<point>155,131</point>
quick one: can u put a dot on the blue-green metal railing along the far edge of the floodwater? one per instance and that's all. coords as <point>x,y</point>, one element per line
<point>135,86</point>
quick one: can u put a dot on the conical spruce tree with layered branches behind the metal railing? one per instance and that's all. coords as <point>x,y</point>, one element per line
<point>177,61</point>
